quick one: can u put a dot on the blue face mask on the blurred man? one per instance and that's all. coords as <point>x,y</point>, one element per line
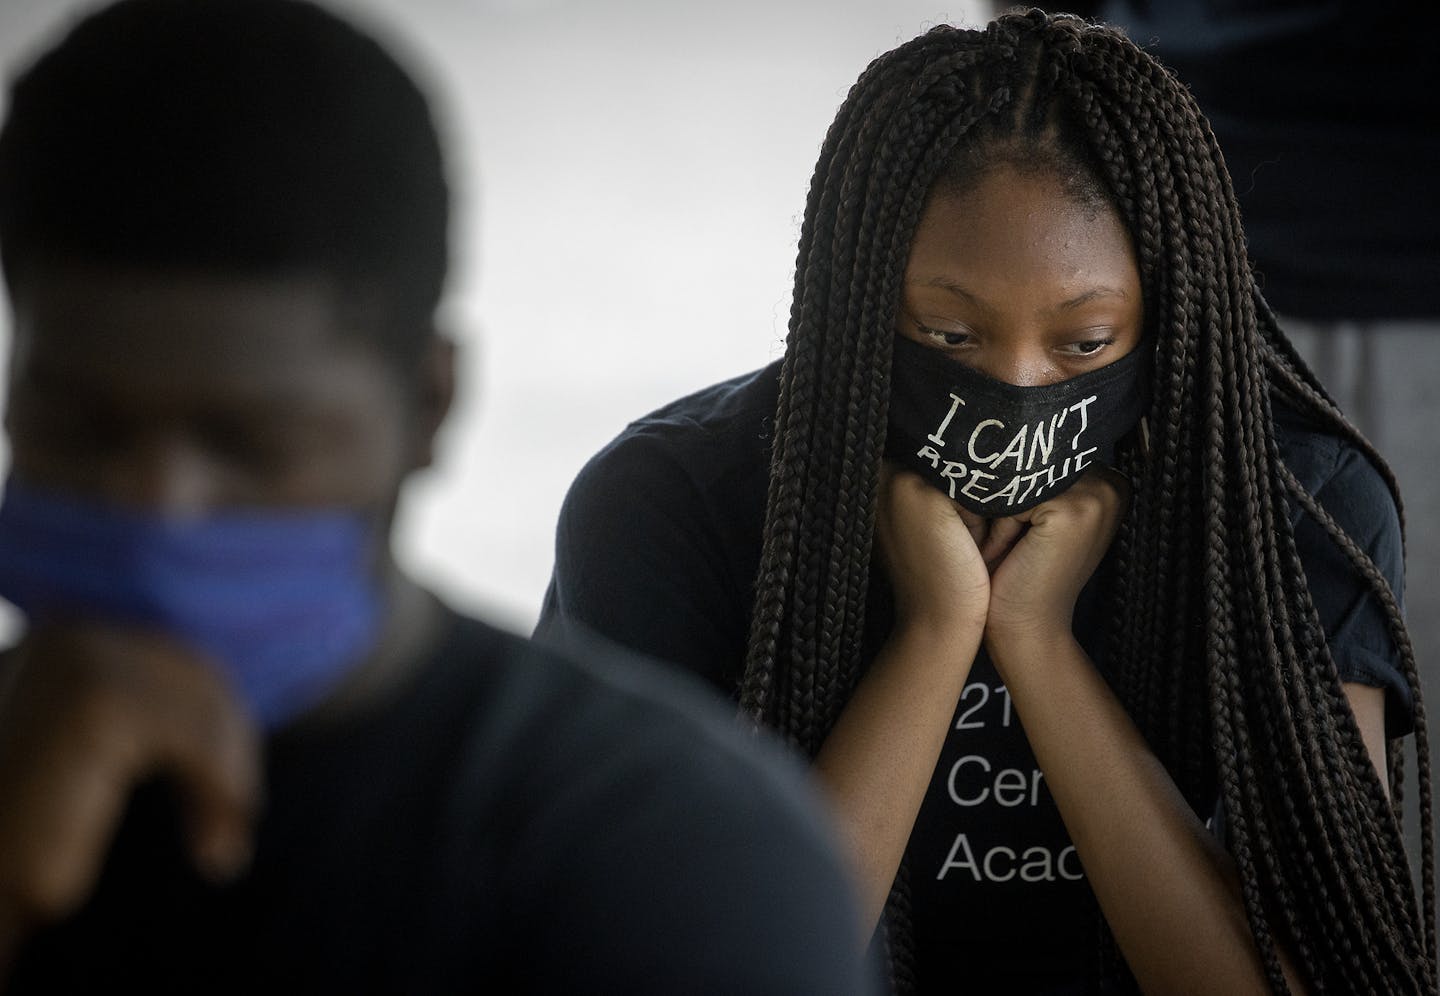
<point>284,602</point>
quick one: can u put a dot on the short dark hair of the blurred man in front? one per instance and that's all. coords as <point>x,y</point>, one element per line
<point>263,137</point>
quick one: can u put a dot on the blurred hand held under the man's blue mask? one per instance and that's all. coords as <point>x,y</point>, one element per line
<point>87,713</point>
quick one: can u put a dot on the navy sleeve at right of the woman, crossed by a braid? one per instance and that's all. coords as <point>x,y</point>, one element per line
<point>1353,492</point>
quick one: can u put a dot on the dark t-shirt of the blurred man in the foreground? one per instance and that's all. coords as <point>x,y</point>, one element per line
<point>515,823</point>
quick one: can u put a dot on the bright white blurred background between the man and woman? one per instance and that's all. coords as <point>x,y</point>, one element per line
<point>630,178</point>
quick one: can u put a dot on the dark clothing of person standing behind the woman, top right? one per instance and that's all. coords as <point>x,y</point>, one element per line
<point>1328,114</point>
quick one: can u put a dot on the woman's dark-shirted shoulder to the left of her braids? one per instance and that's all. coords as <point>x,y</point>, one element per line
<point>659,538</point>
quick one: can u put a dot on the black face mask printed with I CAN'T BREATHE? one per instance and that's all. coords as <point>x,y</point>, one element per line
<point>1000,450</point>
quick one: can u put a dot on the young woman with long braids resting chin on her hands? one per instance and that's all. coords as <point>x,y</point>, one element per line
<point>1038,454</point>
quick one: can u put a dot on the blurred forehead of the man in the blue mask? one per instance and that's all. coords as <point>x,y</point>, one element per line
<point>175,332</point>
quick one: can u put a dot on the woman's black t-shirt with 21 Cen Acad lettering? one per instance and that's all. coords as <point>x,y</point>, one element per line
<point>659,545</point>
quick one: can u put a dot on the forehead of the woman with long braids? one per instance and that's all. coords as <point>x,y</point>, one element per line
<point>1026,231</point>
